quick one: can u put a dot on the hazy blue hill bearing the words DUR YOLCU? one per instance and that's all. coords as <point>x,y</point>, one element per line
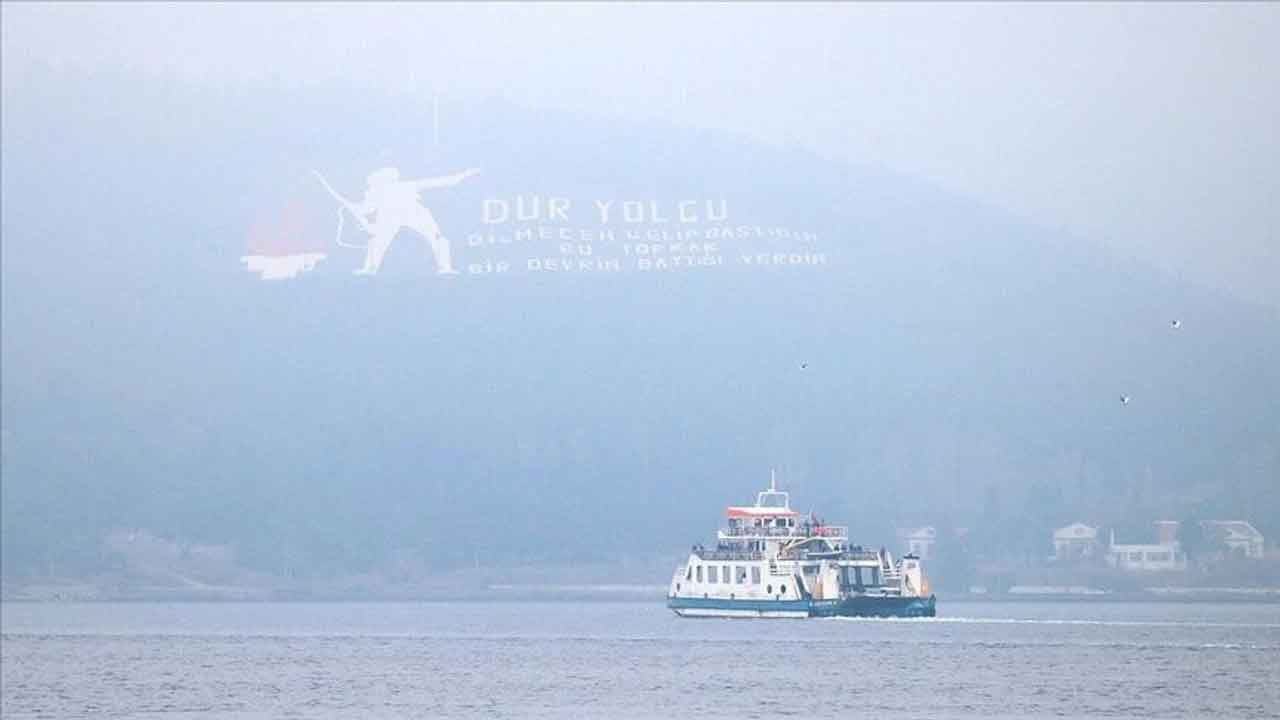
<point>899,354</point>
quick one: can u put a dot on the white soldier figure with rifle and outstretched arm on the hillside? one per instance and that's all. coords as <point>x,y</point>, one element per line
<point>394,206</point>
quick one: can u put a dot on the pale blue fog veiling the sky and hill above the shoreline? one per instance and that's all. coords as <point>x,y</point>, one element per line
<point>930,271</point>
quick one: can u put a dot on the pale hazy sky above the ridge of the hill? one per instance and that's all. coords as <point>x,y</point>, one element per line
<point>1146,129</point>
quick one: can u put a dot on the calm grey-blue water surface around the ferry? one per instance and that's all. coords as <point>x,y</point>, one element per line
<point>634,660</point>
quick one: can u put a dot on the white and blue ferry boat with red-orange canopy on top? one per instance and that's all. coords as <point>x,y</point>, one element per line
<point>771,562</point>
